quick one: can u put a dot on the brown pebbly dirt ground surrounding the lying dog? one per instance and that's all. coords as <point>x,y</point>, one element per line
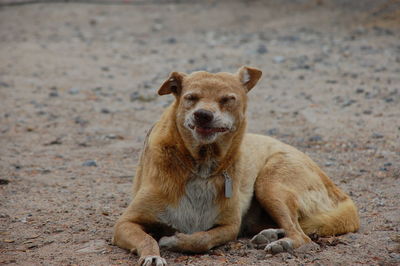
<point>78,92</point>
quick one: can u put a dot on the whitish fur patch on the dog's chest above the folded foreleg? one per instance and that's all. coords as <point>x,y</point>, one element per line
<point>196,210</point>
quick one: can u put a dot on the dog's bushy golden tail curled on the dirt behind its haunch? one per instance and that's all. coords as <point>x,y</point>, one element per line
<point>340,220</point>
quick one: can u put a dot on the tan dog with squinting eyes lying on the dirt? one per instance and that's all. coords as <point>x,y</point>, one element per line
<point>201,180</point>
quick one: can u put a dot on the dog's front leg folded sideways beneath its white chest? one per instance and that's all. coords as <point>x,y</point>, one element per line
<point>200,241</point>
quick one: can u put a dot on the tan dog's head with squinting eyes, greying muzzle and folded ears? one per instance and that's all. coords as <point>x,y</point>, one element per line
<point>208,105</point>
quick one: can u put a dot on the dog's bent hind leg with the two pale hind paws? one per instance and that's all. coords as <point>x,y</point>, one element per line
<point>274,192</point>
